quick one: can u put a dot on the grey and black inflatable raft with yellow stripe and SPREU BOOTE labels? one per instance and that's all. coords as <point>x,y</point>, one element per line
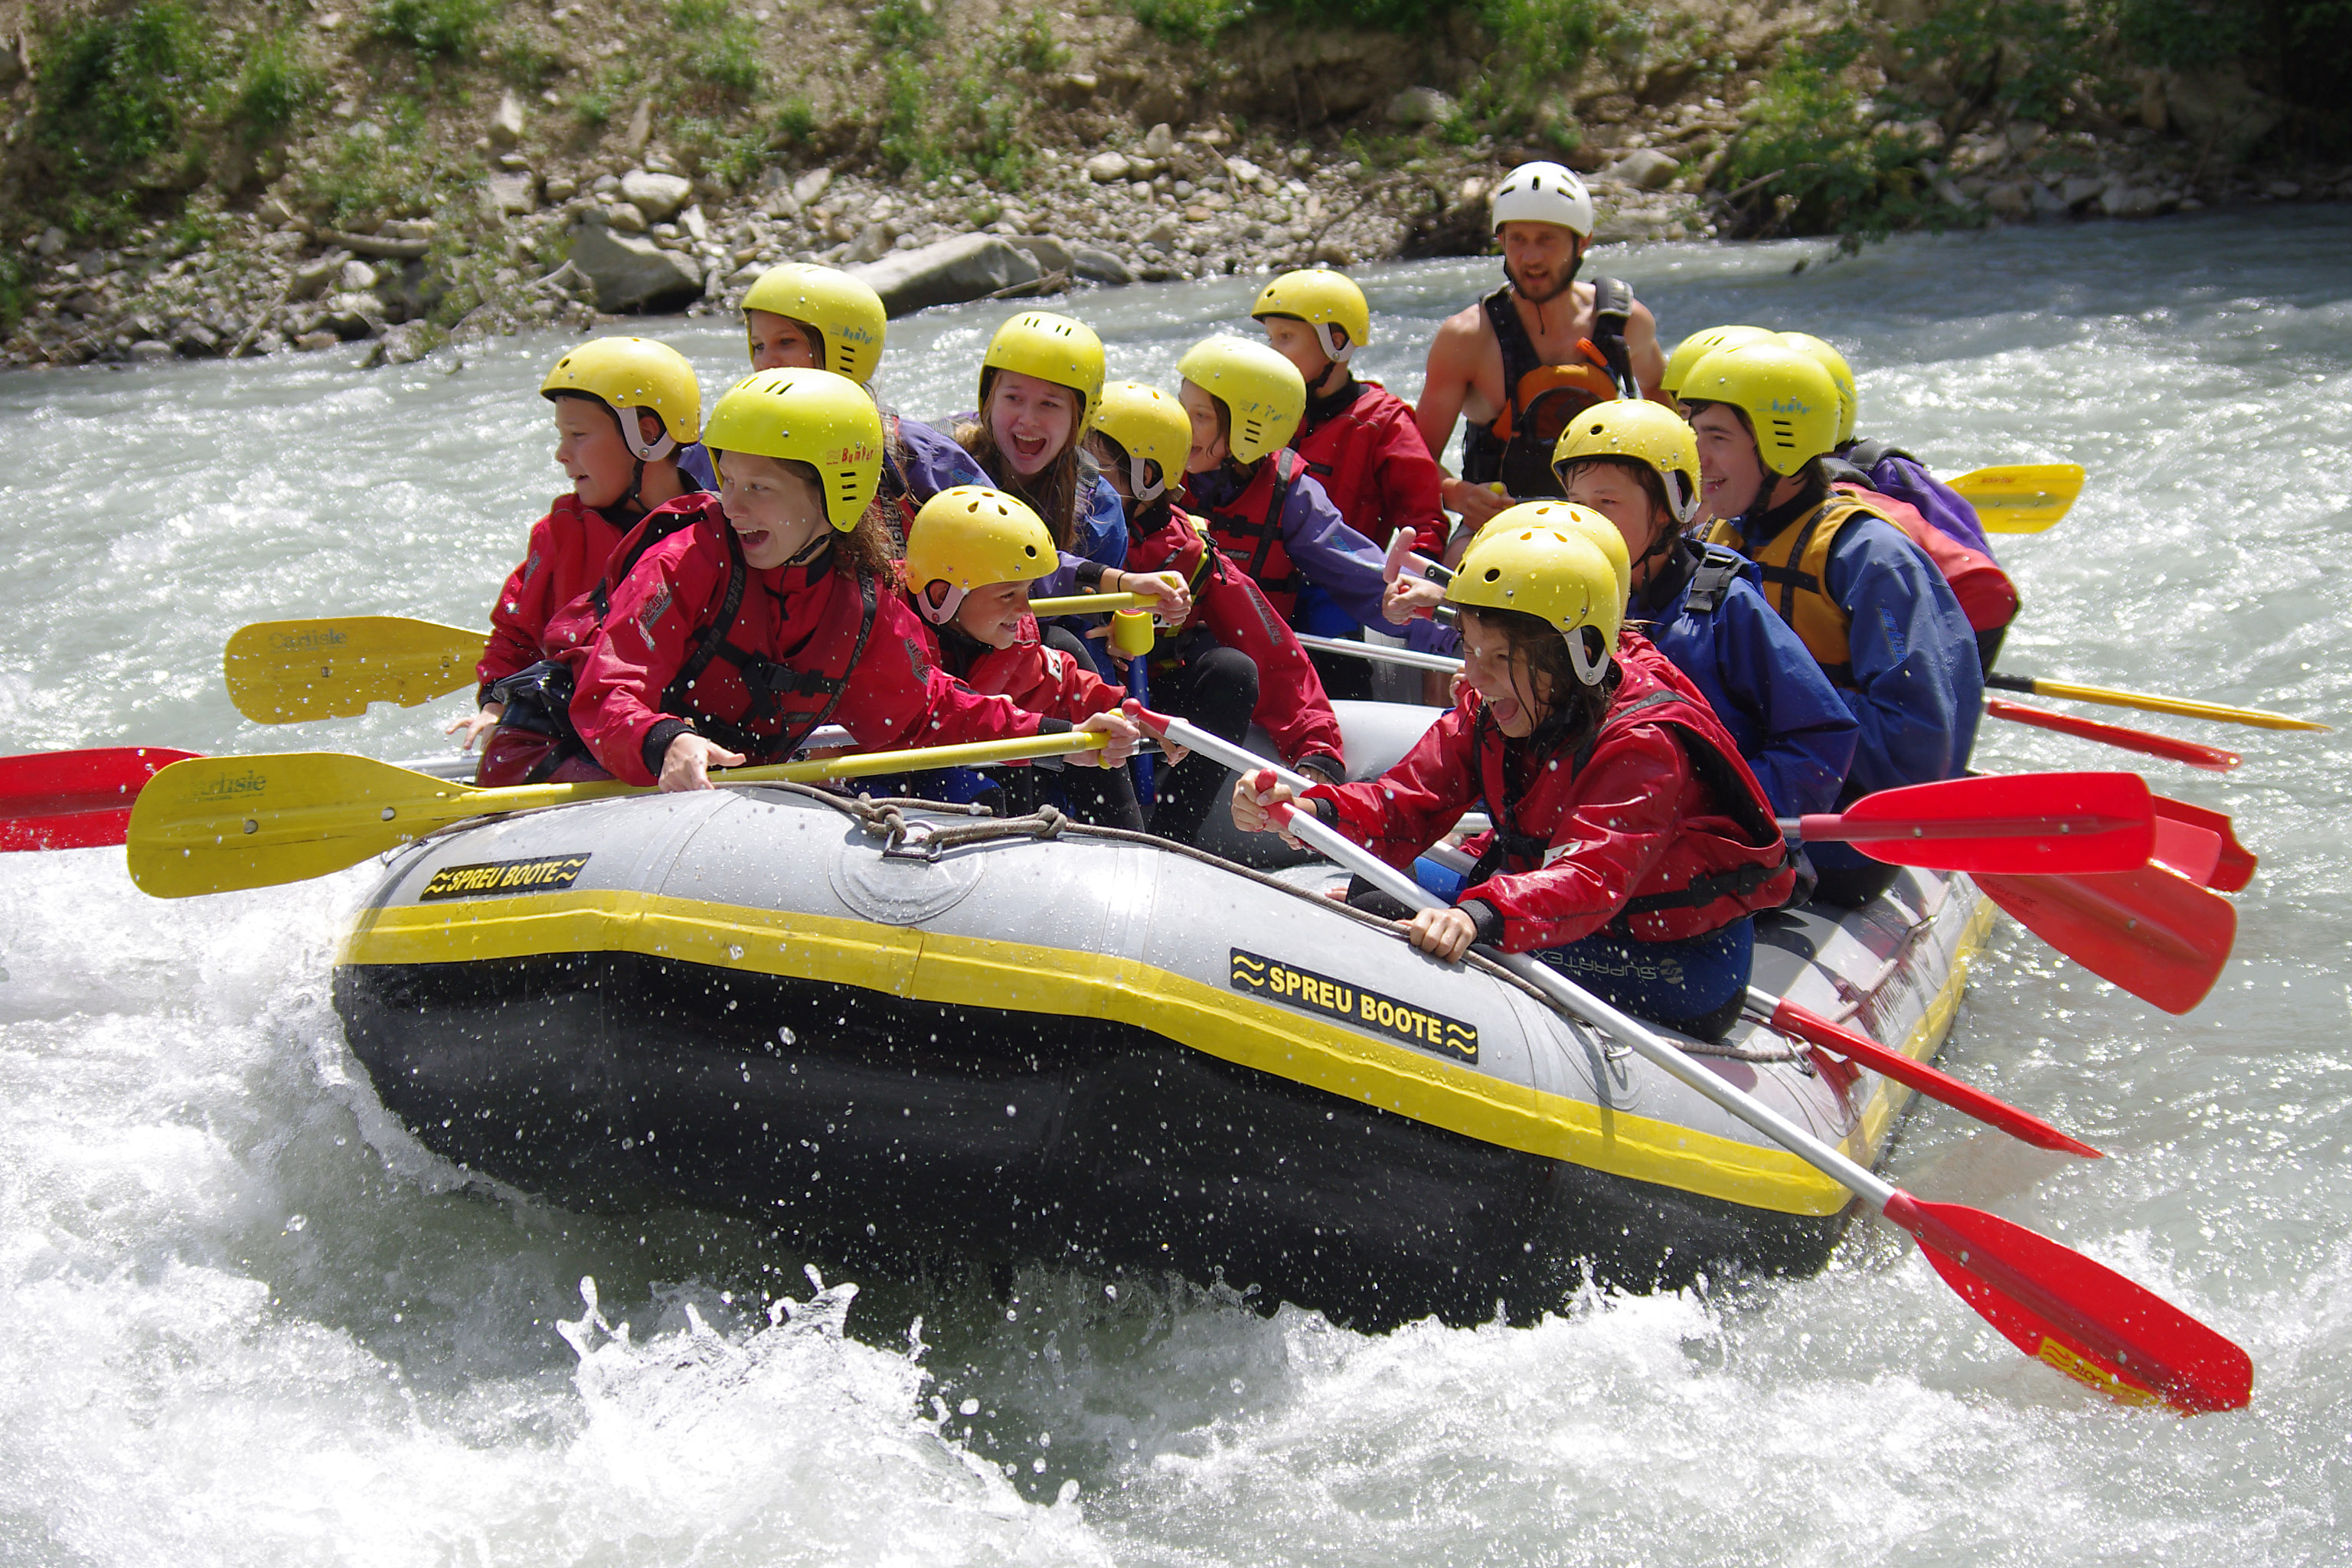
<point>909,1036</point>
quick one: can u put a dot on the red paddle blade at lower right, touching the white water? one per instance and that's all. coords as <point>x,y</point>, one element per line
<point>2078,1315</point>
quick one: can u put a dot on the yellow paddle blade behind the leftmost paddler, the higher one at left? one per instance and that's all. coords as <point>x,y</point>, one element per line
<point>293,671</point>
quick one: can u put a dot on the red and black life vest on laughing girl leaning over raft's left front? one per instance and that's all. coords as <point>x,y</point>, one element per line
<point>789,702</point>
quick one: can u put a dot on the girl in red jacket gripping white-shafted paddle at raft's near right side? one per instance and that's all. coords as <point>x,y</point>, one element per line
<point>1631,845</point>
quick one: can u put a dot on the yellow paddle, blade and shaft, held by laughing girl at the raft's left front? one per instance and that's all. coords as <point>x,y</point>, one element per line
<point>222,824</point>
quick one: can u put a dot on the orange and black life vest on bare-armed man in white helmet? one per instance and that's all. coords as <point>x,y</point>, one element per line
<point>1544,398</point>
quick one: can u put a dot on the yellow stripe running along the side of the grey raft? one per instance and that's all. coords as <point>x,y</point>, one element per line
<point>1243,1031</point>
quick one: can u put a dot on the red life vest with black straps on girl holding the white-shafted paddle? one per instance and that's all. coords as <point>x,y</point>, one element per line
<point>1739,857</point>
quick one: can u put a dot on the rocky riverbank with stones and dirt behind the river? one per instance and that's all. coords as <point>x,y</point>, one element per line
<point>552,208</point>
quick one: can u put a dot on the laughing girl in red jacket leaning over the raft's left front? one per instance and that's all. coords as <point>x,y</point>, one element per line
<point>773,612</point>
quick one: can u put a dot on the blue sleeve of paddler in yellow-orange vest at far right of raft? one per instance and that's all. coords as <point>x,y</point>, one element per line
<point>1918,692</point>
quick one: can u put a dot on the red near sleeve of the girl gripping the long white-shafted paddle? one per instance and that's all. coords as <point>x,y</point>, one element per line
<point>1617,829</point>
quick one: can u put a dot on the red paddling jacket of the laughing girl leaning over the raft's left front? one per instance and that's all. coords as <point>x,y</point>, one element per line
<point>759,659</point>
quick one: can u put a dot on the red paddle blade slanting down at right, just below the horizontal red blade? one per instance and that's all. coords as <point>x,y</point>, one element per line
<point>2156,934</point>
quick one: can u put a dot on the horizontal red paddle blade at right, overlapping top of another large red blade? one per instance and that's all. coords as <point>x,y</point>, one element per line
<point>2012,824</point>
